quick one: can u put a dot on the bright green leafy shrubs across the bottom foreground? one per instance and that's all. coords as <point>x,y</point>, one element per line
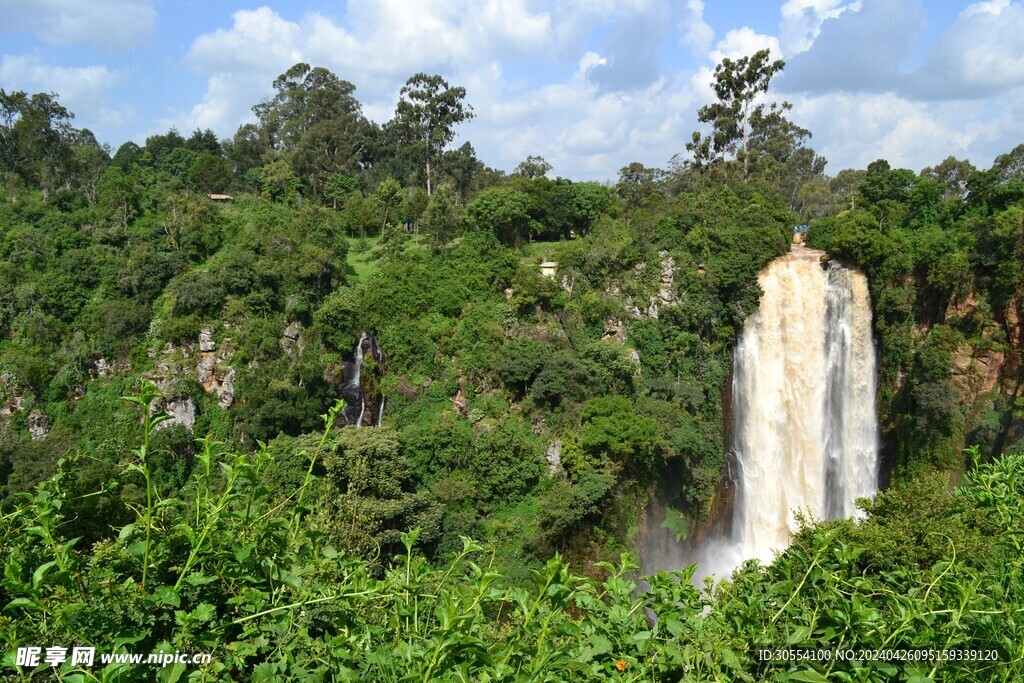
<point>228,570</point>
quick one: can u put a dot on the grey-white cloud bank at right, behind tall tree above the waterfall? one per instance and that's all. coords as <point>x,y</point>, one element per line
<point>859,79</point>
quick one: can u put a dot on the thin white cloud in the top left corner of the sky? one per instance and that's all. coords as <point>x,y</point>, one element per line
<point>108,24</point>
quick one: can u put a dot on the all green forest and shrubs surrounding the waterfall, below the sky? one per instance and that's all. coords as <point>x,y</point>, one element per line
<point>188,463</point>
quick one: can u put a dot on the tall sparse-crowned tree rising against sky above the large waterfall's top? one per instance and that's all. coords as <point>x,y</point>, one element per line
<point>738,86</point>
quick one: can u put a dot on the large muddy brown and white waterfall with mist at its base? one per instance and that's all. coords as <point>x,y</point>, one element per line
<point>804,432</point>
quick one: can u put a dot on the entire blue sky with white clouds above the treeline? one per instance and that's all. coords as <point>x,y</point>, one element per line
<point>591,86</point>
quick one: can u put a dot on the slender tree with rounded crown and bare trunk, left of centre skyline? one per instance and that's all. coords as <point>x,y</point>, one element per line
<point>426,116</point>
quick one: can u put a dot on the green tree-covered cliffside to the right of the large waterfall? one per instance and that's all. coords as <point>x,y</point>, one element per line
<point>945,254</point>
